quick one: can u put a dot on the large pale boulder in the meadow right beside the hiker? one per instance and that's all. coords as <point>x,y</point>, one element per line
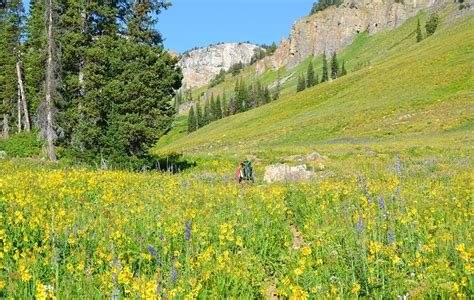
<point>286,173</point>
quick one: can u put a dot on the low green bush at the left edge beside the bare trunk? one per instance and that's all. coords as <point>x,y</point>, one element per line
<point>22,145</point>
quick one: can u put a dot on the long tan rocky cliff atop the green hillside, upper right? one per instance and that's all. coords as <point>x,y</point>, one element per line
<point>336,27</point>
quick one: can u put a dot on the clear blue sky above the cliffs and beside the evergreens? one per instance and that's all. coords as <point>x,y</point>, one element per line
<point>198,23</point>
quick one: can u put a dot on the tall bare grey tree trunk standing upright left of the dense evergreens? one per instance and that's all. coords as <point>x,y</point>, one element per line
<point>49,82</point>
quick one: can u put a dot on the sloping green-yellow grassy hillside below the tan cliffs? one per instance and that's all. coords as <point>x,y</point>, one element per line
<point>402,89</point>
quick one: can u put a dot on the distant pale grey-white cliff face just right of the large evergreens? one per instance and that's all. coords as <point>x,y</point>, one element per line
<point>202,65</point>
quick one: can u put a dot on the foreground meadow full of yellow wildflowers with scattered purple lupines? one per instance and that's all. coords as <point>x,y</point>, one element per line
<point>400,230</point>
